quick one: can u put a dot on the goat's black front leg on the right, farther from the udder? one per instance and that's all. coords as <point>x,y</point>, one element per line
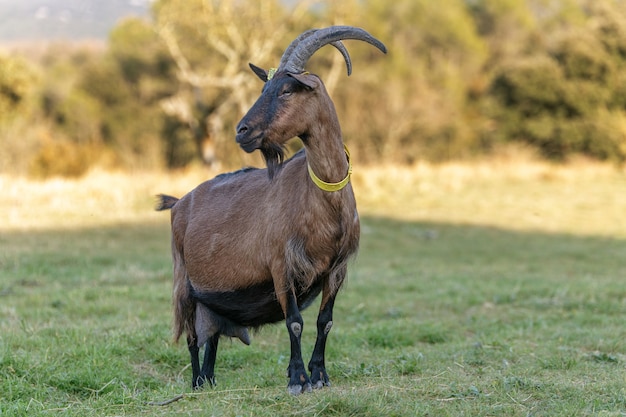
<point>317,365</point>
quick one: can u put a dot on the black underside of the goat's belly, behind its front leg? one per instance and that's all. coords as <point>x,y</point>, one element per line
<point>253,306</point>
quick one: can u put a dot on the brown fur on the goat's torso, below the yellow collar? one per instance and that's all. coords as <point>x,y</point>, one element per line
<point>241,231</point>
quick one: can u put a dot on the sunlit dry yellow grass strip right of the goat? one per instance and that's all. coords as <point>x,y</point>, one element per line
<point>581,198</point>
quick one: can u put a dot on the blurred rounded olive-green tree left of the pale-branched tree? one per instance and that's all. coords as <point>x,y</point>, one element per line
<point>129,82</point>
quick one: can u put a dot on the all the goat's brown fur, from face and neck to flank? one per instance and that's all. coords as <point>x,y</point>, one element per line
<point>242,229</point>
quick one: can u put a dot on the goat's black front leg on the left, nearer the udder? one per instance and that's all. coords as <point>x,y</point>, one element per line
<point>298,378</point>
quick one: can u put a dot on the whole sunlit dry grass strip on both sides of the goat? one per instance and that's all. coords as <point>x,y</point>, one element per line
<point>580,198</point>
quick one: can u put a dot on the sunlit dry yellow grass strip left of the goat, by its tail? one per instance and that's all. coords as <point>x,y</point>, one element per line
<point>99,198</point>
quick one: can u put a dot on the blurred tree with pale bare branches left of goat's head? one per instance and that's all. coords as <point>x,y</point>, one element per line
<point>211,48</point>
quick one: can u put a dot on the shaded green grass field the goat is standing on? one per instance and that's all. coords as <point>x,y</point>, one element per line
<point>436,319</point>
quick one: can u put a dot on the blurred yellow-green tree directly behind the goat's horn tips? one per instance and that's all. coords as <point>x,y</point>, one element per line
<point>413,103</point>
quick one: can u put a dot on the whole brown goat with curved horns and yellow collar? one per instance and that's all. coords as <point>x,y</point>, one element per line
<point>257,246</point>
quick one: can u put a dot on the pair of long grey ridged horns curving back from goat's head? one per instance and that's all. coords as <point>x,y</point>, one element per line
<point>304,46</point>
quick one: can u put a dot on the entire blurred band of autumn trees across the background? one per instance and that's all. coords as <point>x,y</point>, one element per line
<point>461,77</point>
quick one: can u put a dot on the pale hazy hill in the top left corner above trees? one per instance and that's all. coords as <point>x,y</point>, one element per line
<point>38,20</point>
